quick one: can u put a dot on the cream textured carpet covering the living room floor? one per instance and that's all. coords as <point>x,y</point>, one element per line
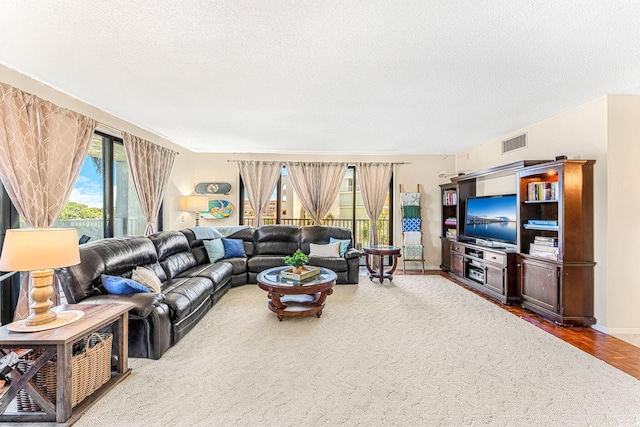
<point>421,351</point>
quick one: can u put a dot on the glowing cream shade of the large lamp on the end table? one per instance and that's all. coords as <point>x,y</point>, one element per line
<point>39,248</point>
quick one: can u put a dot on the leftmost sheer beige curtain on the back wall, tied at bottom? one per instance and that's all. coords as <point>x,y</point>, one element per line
<point>259,180</point>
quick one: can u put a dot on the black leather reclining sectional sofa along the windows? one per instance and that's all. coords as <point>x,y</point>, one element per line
<point>191,285</point>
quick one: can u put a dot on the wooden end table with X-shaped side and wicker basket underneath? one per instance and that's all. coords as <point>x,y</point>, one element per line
<point>41,386</point>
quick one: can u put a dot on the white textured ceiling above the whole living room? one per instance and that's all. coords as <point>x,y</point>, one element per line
<point>357,76</point>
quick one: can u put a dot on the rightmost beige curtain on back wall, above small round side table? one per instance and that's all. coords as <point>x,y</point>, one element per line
<point>374,179</point>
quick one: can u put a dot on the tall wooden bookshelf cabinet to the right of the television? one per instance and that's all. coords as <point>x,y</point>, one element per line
<point>556,241</point>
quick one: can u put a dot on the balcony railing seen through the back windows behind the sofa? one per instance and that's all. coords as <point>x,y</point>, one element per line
<point>360,231</point>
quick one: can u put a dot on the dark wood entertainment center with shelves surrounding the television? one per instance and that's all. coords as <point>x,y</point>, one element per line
<point>550,269</point>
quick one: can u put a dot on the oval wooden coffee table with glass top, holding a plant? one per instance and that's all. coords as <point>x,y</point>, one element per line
<point>292,298</point>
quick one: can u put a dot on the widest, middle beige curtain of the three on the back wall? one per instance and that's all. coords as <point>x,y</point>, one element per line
<point>317,184</point>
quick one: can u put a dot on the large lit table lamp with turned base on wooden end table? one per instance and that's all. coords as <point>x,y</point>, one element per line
<point>40,250</point>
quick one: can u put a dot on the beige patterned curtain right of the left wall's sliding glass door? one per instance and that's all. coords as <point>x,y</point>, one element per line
<point>150,166</point>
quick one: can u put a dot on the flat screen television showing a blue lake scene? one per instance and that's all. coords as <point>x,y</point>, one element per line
<point>492,218</point>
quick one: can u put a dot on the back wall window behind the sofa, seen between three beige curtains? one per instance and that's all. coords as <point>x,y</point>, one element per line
<point>347,211</point>
